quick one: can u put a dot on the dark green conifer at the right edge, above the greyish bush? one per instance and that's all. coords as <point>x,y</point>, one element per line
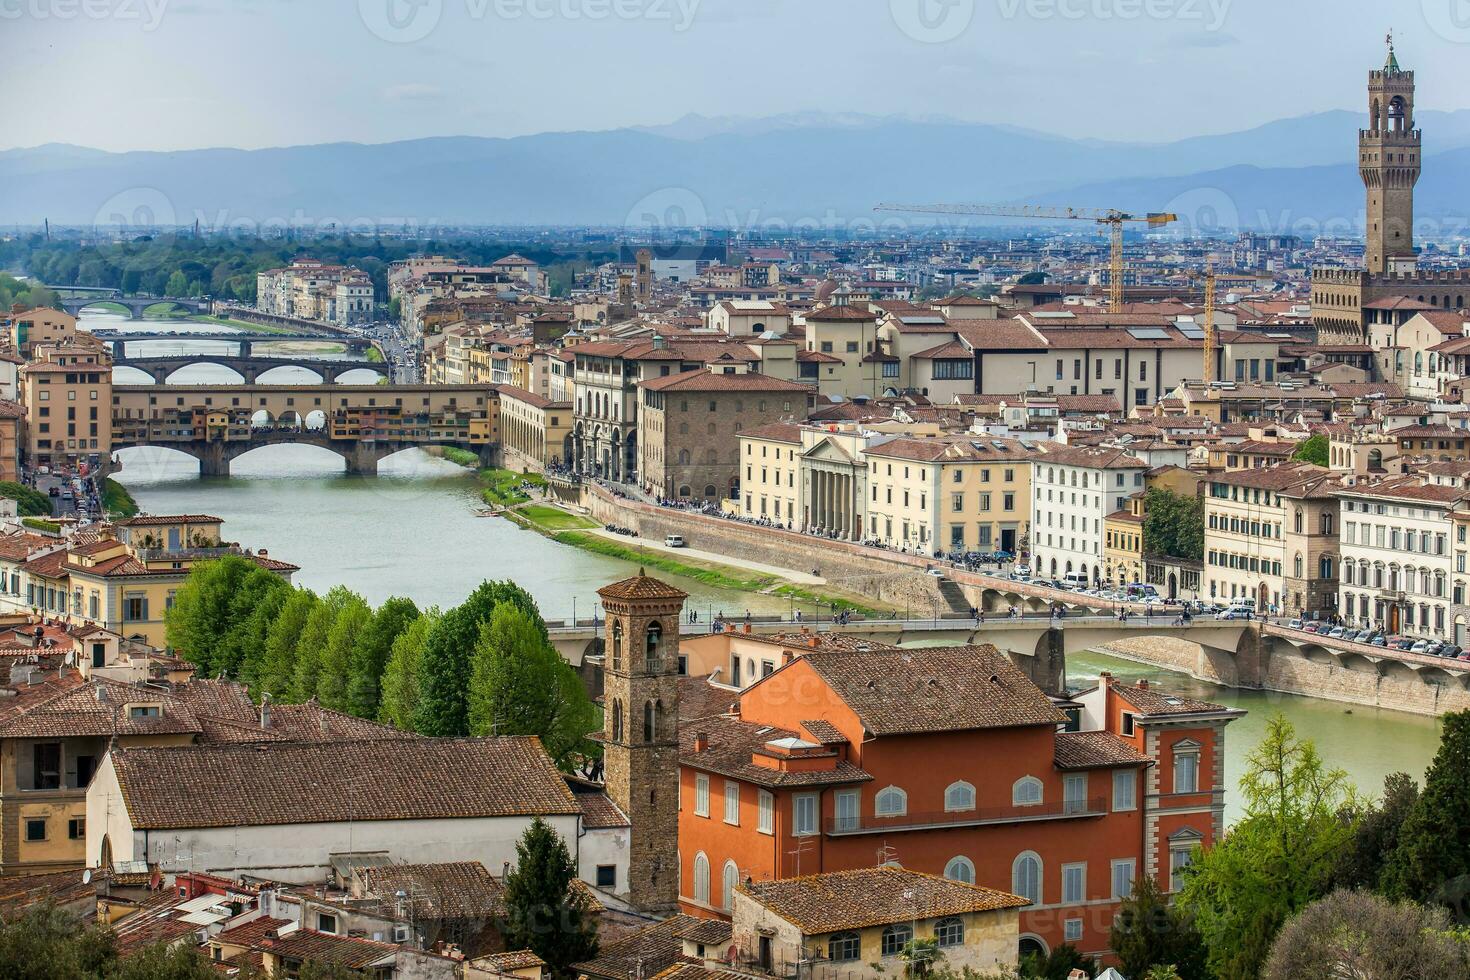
<point>1434,846</point>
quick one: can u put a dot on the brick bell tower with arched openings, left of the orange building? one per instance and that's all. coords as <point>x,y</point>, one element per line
<point>642,731</point>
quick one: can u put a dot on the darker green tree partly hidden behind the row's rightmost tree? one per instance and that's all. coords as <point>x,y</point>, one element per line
<point>446,665</point>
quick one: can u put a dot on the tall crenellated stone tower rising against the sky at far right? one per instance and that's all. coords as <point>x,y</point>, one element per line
<point>1390,164</point>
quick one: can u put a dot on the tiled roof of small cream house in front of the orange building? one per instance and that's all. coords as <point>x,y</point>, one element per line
<point>864,898</point>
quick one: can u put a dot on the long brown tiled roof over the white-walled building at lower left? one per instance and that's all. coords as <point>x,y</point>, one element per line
<point>386,779</point>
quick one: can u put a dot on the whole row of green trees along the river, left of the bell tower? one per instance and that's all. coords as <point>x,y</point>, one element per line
<point>483,668</point>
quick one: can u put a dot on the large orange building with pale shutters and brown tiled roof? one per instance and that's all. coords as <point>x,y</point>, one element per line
<point>949,762</point>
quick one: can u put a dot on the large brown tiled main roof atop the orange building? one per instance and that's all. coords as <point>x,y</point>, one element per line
<point>934,690</point>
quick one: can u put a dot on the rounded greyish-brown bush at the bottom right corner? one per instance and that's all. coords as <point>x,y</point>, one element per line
<point>1363,935</point>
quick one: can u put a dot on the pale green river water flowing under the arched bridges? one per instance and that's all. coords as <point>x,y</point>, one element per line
<point>414,531</point>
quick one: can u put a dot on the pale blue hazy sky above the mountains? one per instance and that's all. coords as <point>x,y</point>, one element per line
<point>180,74</point>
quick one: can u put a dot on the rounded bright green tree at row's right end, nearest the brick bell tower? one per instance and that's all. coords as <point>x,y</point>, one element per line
<point>523,687</point>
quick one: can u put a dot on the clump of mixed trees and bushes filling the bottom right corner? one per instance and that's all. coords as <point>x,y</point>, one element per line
<point>1318,881</point>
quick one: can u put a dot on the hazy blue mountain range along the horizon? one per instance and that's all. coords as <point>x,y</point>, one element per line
<point>734,173</point>
